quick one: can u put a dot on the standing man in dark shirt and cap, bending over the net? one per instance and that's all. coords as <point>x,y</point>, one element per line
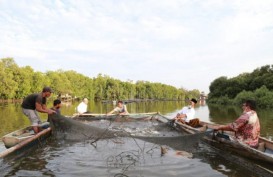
<point>36,102</point>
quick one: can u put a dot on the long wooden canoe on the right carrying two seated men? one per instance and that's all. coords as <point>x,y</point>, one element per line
<point>221,140</point>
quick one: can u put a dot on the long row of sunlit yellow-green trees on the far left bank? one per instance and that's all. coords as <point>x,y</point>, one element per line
<point>18,82</point>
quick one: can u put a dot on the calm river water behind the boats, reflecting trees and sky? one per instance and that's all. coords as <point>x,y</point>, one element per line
<point>12,118</point>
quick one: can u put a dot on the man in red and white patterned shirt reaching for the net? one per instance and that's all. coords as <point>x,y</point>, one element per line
<point>247,126</point>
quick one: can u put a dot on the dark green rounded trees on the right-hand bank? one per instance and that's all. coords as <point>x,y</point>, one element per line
<point>257,85</point>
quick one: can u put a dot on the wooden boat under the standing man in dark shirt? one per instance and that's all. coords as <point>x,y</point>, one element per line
<point>24,138</point>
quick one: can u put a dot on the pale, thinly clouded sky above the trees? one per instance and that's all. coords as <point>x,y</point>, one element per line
<point>184,43</point>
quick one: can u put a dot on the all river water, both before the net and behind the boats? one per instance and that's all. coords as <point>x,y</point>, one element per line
<point>127,156</point>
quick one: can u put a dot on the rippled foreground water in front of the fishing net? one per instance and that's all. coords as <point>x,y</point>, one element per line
<point>123,157</point>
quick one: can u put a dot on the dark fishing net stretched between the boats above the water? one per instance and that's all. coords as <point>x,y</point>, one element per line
<point>147,129</point>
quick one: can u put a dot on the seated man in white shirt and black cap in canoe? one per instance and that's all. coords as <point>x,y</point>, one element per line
<point>186,114</point>
